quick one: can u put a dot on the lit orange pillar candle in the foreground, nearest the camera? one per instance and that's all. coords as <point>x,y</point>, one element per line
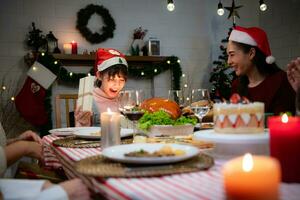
<point>252,177</point>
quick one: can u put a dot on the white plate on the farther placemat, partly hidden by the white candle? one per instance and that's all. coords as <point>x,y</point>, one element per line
<point>91,132</point>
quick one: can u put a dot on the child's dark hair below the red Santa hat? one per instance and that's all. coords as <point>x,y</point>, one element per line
<point>118,69</point>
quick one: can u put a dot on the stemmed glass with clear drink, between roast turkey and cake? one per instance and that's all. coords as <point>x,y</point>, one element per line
<point>200,103</point>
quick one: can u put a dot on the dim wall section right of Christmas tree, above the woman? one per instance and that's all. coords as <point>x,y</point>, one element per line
<point>281,23</point>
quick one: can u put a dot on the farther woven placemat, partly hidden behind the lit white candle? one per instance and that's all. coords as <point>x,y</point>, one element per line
<point>75,142</point>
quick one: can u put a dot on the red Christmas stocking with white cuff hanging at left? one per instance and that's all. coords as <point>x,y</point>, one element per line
<point>30,101</point>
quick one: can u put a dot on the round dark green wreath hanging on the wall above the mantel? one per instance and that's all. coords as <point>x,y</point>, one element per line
<point>83,17</point>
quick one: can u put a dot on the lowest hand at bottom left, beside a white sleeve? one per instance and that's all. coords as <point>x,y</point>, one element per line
<point>76,189</point>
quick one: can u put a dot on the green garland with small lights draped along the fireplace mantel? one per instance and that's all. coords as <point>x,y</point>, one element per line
<point>68,78</point>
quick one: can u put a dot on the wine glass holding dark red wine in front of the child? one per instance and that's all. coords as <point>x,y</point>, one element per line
<point>129,105</point>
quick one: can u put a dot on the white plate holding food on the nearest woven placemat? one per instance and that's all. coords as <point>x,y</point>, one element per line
<point>116,153</point>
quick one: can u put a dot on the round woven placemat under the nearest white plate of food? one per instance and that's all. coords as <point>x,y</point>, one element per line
<point>102,167</point>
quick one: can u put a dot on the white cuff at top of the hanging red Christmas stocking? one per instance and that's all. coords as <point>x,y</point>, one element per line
<point>41,75</point>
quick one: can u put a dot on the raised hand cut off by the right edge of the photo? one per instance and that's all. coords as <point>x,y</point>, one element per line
<point>293,73</point>
